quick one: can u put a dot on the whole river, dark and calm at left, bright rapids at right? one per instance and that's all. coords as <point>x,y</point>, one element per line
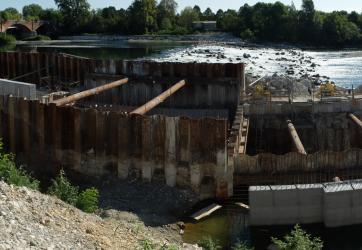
<point>343,67</point>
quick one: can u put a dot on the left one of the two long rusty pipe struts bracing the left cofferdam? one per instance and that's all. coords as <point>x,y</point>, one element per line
<point>90,92</point>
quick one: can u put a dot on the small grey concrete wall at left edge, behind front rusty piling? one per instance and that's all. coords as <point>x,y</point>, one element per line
<point>19,89</point>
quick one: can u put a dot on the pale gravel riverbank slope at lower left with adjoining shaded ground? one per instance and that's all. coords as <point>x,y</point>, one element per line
<point>130,216</point>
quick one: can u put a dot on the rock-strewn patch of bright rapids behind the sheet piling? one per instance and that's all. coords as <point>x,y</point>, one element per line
<point>259,61</point>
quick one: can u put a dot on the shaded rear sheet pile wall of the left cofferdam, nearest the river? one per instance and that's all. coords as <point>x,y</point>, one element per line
<point>208,85</point>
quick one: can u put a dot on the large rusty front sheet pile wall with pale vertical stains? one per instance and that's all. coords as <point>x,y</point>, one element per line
<point>178,151</point>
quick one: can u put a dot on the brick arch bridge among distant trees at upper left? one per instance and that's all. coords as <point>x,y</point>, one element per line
<point>22,25</point>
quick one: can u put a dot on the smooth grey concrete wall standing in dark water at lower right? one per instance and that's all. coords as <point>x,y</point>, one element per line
<point>334,204</point>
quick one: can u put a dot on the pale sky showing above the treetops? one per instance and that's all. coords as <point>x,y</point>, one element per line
<point>324,5</point>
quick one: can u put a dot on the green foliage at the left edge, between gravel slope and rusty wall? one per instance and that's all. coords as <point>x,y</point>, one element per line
<point>13,175</point>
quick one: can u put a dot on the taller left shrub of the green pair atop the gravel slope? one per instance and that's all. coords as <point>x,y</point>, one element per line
<point>63,189</point>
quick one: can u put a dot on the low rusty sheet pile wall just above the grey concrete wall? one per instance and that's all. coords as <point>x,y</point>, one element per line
<point>294,168</point>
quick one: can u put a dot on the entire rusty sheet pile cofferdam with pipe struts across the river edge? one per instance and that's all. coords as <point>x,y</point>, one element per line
<point>198,128</point>
